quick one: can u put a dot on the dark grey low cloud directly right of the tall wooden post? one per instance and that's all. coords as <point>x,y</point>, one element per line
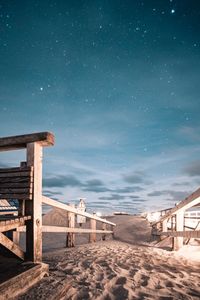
<point>62,181</point>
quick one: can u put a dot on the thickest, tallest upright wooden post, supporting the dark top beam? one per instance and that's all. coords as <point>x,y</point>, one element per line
<point>34,207</point>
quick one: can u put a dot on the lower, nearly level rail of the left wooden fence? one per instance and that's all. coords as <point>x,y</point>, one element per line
<point>46,228</point>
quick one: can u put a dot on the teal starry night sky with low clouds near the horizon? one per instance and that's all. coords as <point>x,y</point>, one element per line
<point>118,83</point>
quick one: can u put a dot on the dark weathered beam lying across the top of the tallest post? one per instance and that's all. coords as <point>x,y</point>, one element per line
<point>21,141</point>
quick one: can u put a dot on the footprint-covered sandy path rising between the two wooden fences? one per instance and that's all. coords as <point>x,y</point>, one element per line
<point>128,267</point>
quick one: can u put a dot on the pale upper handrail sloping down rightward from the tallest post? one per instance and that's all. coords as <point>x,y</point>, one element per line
<point>66,207</point>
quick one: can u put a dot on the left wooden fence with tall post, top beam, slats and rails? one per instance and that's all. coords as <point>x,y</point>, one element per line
<point>24,183</point>
